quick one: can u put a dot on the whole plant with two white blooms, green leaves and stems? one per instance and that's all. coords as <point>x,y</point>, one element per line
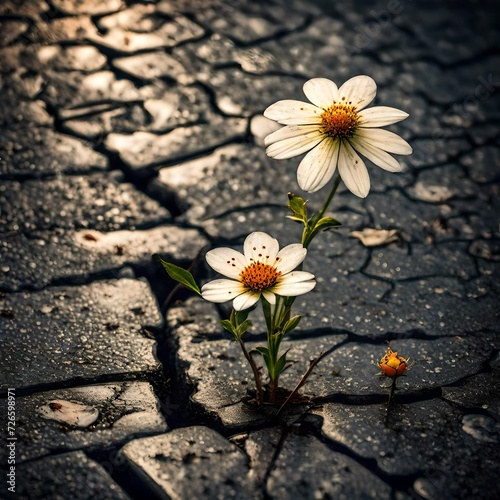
<point>332,129</point>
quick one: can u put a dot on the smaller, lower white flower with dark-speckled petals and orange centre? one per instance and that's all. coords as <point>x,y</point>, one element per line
<point>262,270</point>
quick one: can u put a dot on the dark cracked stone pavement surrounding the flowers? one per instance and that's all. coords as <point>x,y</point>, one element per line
<point>135,128</point>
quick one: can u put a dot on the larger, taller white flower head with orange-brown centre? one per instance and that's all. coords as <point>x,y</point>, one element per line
<point>334,129</point>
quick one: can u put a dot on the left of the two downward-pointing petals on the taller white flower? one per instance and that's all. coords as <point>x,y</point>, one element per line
<point>318,166</point>
